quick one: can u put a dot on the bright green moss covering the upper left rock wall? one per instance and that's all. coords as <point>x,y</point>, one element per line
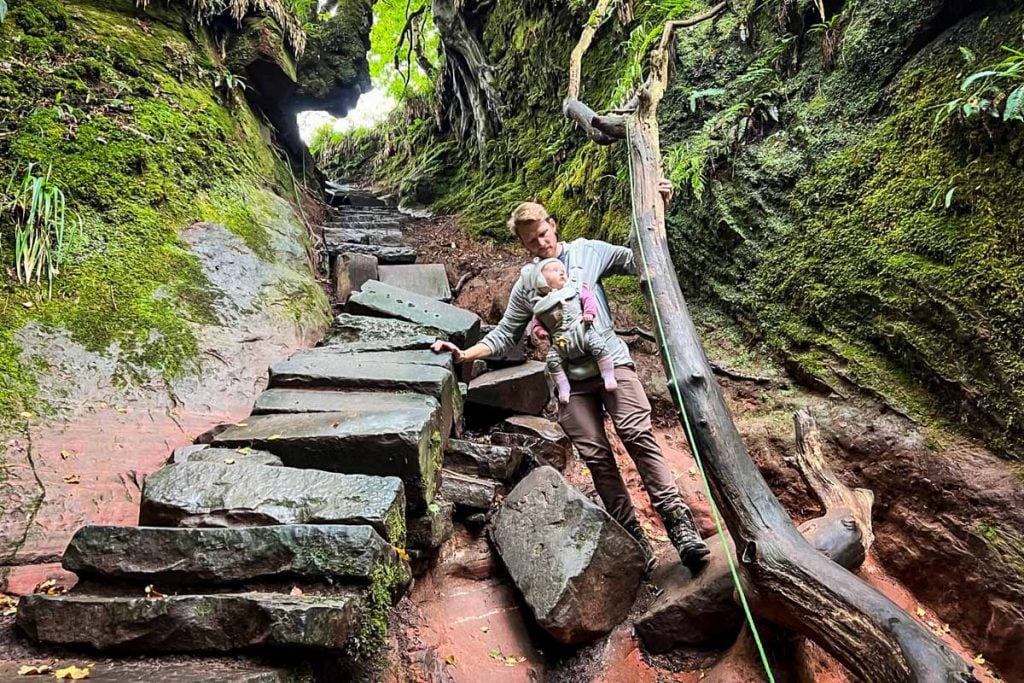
<point>121,106</point>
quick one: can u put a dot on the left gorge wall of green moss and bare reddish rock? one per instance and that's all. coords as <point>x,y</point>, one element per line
<point>192,269</point>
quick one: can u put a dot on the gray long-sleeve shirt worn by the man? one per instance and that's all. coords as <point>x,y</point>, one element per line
<point>594,260</point>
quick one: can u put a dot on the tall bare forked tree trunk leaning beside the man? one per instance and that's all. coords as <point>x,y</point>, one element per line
<point>787,581</point>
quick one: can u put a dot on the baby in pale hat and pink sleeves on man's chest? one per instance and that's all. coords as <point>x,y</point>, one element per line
<point>568,318</point>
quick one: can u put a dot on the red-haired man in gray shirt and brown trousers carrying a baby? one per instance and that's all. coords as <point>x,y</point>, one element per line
<point>582,417</point>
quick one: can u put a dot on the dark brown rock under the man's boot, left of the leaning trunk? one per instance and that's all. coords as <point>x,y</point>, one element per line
<point>692,611</point>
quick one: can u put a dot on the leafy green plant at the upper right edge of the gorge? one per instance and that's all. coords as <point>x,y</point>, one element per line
<point>997,92</point>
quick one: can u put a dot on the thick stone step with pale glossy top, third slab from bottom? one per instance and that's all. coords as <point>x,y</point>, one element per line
<point>211,495</point>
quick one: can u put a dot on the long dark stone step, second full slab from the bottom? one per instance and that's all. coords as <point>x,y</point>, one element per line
<point>170,557</point>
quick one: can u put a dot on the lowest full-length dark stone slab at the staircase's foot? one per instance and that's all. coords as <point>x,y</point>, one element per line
<point>193,623</point>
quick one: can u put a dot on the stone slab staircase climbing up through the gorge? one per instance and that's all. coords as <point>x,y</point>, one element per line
<point>290,534</point>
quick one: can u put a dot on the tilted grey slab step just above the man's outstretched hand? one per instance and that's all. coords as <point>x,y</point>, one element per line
<point>377,298</point>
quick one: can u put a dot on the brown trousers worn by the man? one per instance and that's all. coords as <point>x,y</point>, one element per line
<point>630,412</point>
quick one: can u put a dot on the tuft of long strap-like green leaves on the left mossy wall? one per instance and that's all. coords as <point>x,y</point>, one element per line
<point>44,226</point>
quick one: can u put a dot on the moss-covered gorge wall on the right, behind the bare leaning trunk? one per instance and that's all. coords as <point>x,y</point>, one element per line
<point>814,184</point>
